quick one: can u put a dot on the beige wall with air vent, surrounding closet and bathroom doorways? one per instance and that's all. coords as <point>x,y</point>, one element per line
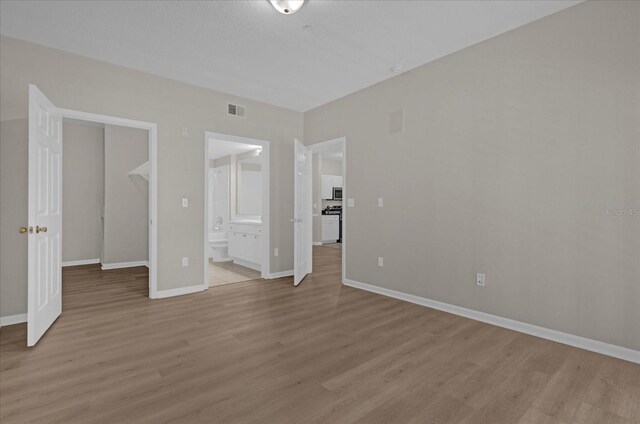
<point>79,83</point>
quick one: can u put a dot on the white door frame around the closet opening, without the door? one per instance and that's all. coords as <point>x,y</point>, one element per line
<point>152,129</point>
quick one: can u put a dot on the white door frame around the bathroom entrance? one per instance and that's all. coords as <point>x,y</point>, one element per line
<point>266,199</point>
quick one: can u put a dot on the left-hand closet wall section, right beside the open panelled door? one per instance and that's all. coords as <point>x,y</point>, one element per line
<point>83,191</point>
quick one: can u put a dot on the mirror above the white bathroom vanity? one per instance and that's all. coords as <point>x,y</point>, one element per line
<point>249,187</point>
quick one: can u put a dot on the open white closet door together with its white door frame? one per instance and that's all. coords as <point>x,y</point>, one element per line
<point>45,211</point>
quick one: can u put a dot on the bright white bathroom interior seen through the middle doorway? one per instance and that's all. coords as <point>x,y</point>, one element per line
<point>235,209</point>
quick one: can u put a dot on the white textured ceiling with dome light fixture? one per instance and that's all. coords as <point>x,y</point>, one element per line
<point>326,50</point>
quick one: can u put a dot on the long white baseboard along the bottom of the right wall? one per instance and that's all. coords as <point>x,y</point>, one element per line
<point>522,327</point>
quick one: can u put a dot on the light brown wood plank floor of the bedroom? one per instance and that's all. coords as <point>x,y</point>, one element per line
<point>266,352</point>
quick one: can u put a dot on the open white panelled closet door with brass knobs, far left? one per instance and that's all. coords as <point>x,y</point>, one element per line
<point>45,215</point>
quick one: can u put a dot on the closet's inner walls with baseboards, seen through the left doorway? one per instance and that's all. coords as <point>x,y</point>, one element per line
<point>105,198</point>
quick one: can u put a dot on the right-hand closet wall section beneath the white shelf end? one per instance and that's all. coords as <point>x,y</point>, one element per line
<point>126,198</point>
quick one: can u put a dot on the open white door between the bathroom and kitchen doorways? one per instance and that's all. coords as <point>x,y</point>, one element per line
<point>302,219</point>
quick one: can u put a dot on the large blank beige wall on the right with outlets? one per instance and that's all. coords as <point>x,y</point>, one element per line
<point>512,151</point>
